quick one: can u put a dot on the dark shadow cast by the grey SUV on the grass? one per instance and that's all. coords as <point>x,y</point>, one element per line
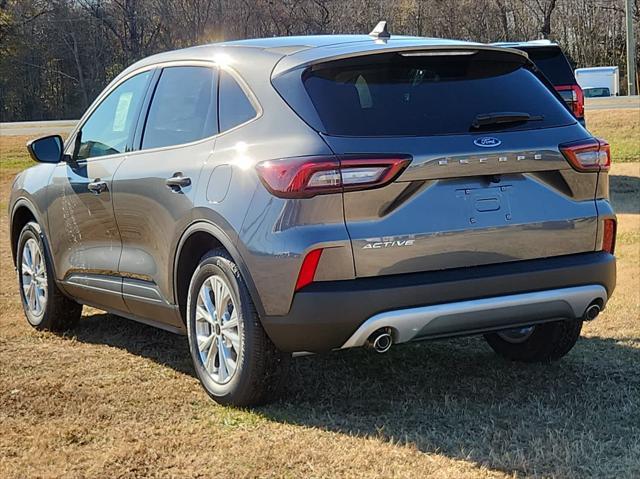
<point>577,417</point>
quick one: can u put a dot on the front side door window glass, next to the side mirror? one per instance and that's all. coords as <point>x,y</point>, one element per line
<point>108,129</point>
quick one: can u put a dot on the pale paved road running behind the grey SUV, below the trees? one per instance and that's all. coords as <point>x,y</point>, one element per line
<point>41,128</point>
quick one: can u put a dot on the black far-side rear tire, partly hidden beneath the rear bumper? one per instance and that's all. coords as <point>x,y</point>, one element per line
<point>547,342</point>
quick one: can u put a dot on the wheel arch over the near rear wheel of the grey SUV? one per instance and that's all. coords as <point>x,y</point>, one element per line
<point>197,240</point>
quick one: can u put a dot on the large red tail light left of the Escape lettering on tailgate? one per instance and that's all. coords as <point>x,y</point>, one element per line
<point>306,177</point>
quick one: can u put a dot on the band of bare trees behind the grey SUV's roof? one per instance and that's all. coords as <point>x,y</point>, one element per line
<point>57,55</point>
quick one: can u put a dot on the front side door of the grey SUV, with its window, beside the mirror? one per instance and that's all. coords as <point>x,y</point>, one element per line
<point>84,234</point>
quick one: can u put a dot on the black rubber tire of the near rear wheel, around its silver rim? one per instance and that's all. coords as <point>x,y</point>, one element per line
<point>260,367</point>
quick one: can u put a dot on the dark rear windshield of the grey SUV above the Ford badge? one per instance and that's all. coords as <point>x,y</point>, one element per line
<point>414,95</point>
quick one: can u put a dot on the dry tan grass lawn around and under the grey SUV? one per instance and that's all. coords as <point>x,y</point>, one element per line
<point>116,398</point>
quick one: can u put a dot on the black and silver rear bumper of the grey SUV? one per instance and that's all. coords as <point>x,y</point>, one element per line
<point>328,315</point>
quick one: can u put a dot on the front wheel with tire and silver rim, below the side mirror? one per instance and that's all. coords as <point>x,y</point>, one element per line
<point>43,303</point>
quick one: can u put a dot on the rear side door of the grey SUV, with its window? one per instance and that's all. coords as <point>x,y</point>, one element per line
<point>154,188</point>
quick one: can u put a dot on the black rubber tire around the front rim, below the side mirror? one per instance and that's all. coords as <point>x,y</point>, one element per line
<point>59,313</point>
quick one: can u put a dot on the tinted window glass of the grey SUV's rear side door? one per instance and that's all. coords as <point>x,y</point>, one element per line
<point>183,108</point>
